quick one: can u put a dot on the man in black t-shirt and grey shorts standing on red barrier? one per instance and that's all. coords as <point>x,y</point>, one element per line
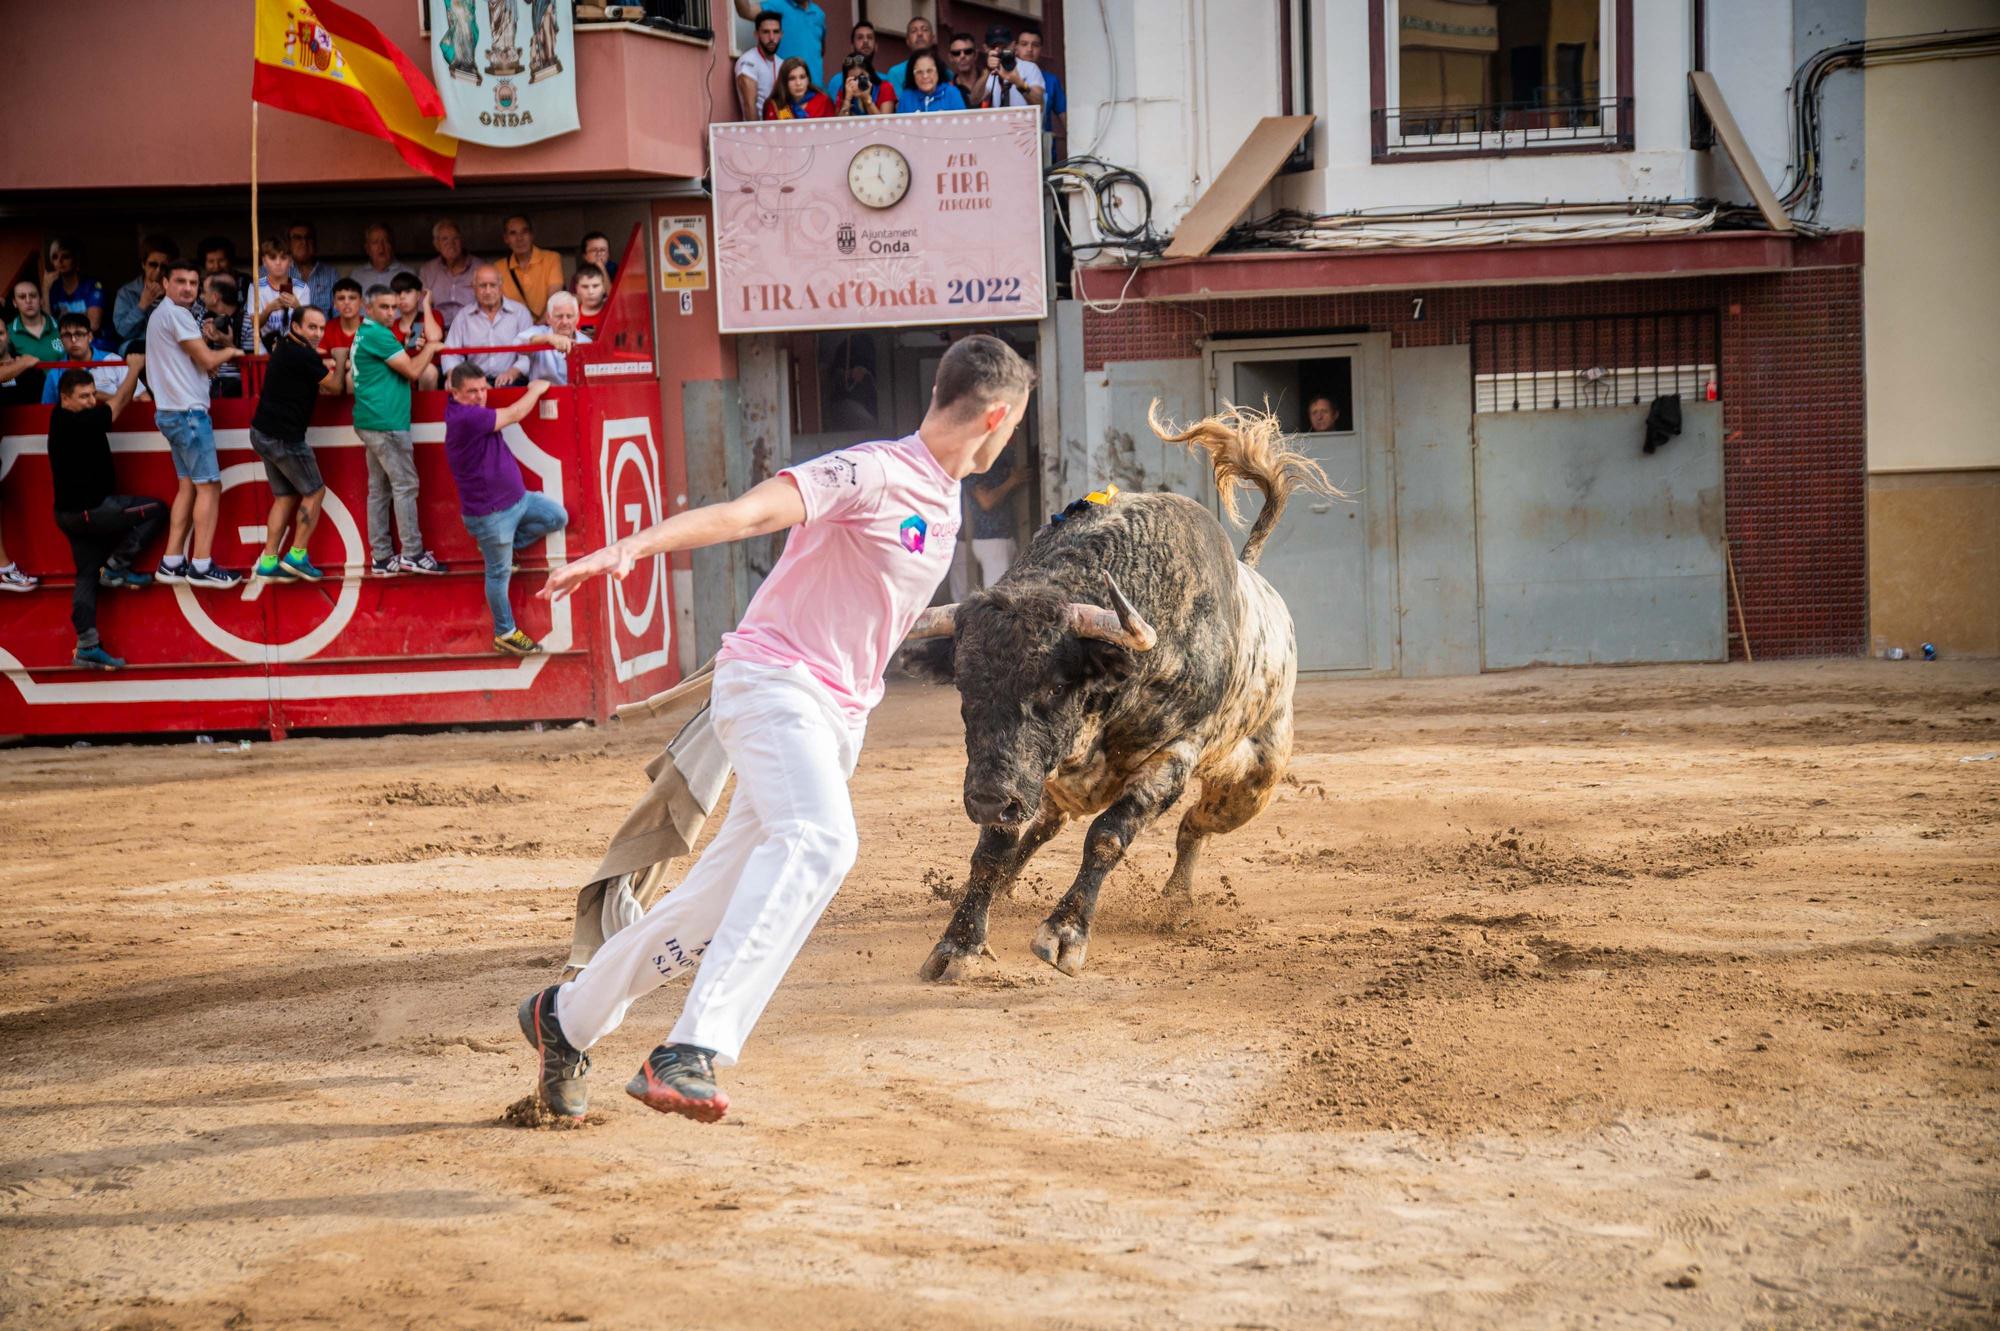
<point>293,387</point>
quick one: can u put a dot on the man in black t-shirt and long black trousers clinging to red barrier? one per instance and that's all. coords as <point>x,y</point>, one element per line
<point>107,531</point>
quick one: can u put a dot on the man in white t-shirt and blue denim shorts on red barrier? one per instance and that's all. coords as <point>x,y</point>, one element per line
<point>179,363</point>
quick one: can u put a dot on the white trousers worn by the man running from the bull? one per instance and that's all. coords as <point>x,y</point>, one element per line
<point>755,894</point>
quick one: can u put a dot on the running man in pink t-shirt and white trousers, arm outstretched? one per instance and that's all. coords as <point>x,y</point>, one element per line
<point>793,692</point>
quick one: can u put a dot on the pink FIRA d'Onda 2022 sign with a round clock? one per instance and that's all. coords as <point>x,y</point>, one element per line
<point>879,221</point>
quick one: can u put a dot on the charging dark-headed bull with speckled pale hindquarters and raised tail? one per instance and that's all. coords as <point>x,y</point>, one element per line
<point>1127,655</point>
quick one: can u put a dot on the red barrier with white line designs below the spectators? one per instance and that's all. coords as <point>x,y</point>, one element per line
<point>353,651</point>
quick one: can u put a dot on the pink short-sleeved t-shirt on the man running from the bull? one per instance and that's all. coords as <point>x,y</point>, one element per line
<point>879,537</point>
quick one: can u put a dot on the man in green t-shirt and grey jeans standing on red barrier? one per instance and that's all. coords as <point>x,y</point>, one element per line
<point>383,379</point>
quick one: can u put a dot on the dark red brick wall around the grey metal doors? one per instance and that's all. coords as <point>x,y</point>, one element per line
<point>1793,413</point>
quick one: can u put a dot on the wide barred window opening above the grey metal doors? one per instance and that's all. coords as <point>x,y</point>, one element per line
<point>1553,365</point>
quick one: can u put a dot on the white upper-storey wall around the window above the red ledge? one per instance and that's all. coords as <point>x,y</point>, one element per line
<point>1195,75</point>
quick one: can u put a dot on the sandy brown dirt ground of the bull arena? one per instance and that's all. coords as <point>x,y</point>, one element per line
<point>1559,998</point>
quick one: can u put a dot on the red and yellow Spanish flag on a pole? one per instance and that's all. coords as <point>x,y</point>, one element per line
<point>329,63</point>
